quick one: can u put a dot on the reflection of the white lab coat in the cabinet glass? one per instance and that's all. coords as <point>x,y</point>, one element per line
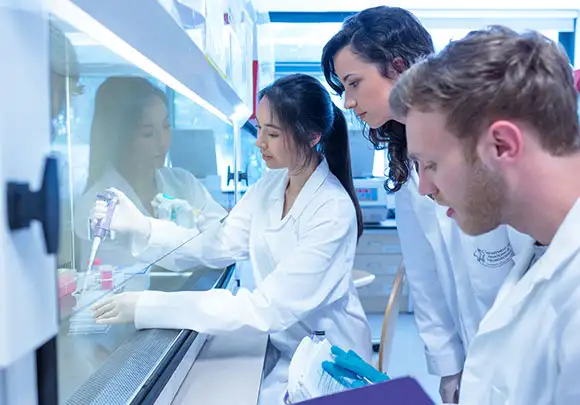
<point>175,182</point>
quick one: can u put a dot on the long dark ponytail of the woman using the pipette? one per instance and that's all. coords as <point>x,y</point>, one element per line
<point>335,148</point>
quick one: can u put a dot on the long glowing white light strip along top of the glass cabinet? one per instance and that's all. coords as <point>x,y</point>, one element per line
<point>74,15</point>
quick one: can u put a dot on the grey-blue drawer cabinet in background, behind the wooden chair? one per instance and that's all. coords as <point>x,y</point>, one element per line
<point>379,252</point>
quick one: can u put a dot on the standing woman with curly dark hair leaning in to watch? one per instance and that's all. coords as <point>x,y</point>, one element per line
<point>448,272</point>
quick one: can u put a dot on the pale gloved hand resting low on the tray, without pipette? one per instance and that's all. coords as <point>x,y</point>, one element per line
<point>119,308</point>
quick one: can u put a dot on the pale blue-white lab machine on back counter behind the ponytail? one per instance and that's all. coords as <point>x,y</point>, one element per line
<point>372,197</point>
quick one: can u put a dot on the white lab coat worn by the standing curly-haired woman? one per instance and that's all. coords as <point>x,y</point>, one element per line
<point>451,289</point>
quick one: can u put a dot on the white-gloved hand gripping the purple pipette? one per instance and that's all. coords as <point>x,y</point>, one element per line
<point>126,219</point>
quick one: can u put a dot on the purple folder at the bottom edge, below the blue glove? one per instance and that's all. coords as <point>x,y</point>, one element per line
<point>401,391</point>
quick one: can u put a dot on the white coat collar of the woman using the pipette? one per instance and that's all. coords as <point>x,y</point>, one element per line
<point>304,197</point>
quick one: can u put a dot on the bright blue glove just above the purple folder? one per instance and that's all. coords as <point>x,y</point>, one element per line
<point>349,365</point>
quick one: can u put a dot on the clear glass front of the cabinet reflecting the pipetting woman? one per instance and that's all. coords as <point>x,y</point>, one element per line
<point>113,126</point>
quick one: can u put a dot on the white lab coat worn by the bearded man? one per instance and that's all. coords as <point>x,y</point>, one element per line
<point>527,350</point>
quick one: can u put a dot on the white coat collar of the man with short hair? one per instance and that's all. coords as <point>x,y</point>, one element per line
<point>521,282</point>
